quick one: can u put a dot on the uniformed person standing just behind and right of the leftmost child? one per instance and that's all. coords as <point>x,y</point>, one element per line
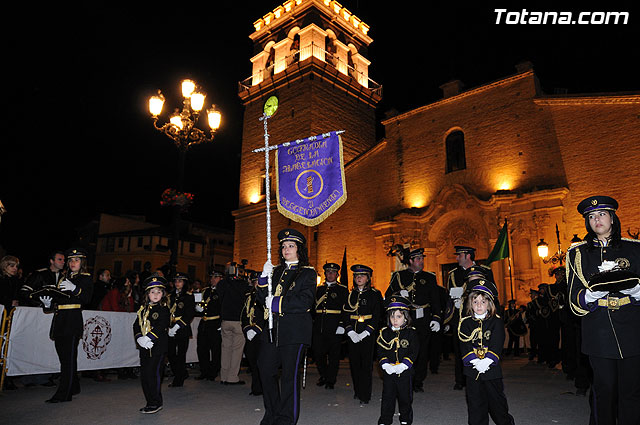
<point>183,308</point>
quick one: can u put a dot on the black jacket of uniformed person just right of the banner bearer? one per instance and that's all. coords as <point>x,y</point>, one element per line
<point>328,310</point>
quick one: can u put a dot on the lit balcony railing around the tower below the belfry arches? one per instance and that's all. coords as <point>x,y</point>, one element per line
<point>303,54</point>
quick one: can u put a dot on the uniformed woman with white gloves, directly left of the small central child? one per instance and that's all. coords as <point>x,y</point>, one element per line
<point>362,317</point>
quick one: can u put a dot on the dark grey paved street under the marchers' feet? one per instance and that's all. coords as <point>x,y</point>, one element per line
<point>537,395</point>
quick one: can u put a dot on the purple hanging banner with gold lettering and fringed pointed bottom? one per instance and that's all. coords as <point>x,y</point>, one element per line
<point>310,178</point>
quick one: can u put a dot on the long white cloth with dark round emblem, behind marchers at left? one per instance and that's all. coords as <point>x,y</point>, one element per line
<point>107,342</point>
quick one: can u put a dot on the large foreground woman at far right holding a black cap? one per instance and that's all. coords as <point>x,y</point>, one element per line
<point>604,289</point>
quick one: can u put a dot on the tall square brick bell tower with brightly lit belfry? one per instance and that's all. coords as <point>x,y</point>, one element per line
<point>311,56</point>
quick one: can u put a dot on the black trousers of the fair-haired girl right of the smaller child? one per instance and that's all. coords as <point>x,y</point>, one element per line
<point>486,398</point>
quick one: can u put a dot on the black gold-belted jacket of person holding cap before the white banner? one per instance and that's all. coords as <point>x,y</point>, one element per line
<point>67,319</point>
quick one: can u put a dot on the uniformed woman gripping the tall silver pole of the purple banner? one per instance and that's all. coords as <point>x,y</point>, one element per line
<point>283,346</point>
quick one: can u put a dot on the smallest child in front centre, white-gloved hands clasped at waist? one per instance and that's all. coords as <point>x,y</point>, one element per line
<point>398,347</point>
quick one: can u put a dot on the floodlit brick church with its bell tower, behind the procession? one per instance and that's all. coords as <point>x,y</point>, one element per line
<point>445,174</point>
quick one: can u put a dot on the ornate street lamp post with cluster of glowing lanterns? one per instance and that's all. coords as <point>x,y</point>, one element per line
<point>182,129</point>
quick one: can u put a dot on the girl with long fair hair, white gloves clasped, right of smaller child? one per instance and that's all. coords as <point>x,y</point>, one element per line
<point>482,337</point>
